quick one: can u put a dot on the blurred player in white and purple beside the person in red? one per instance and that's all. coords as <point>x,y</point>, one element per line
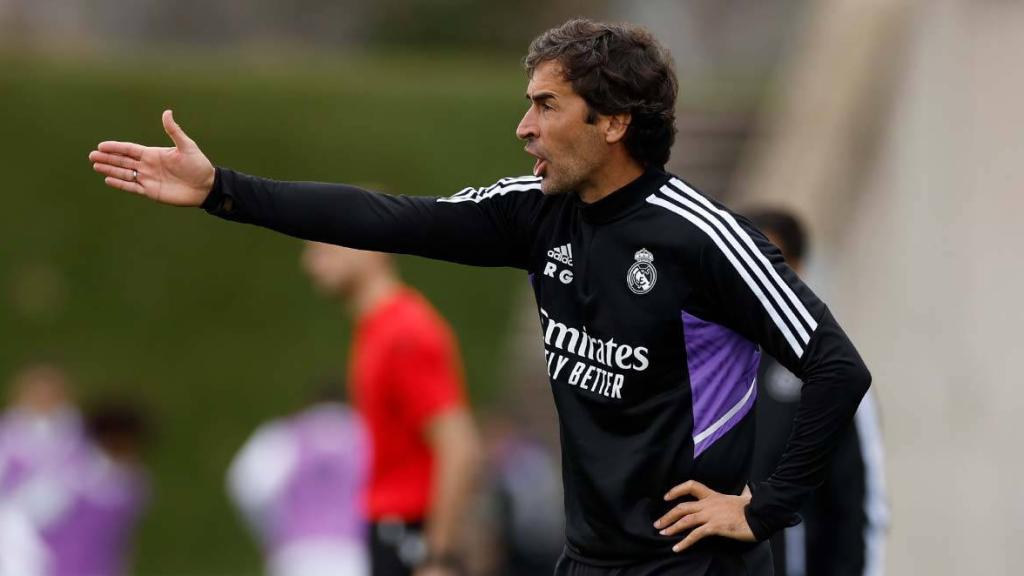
<point>298,482</point>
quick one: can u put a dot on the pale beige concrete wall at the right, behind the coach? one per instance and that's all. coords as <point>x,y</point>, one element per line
<point>923,260</point>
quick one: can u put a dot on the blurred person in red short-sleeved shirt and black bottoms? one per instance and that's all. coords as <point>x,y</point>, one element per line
<point>406,382</point>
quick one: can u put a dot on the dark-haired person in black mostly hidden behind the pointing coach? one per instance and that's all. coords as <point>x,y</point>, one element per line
<point>843,532</point>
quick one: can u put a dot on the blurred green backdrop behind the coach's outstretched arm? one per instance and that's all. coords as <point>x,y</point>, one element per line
<point>212,324</point>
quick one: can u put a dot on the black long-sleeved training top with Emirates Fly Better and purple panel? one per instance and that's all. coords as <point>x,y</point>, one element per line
<point>655,304</point>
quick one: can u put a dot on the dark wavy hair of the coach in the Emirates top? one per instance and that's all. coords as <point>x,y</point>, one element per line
<point>617,69</point>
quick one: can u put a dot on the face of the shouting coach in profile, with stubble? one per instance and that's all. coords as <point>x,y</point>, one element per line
<point>569,150</point>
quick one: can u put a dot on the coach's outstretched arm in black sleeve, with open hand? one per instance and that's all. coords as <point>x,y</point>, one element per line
<point>491,226</point>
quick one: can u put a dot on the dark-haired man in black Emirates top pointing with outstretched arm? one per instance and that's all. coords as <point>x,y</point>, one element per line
<point>653,299</point>
